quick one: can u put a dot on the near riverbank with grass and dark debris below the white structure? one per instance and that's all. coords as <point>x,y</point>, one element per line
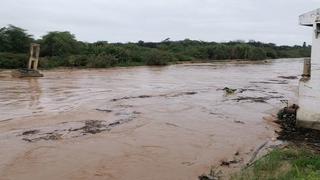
<point>298,159</point>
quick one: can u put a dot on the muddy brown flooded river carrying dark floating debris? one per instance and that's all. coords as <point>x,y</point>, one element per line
<point>160,123</point>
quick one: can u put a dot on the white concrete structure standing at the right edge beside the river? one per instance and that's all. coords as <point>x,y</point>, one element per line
<point>308,115</point>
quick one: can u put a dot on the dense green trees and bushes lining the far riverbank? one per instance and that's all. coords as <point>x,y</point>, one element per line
<point>62,49</point>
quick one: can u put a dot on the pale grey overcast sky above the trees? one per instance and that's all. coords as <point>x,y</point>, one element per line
<point>273,21</point>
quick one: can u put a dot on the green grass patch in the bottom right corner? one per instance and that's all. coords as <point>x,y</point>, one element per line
<point>284,164</point>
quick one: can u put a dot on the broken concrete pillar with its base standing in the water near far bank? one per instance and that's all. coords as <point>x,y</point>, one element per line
<point>32,70</point>
